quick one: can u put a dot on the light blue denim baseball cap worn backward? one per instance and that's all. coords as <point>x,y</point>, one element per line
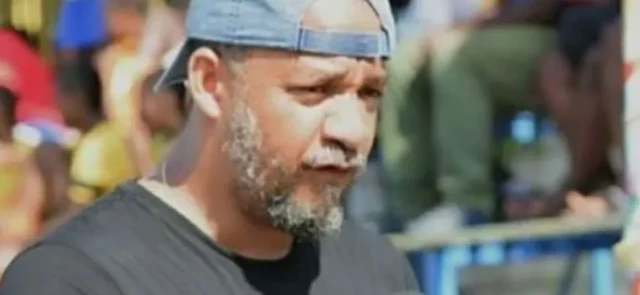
<point>274,24</point>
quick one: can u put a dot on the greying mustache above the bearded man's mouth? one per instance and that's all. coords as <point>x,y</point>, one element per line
<point>334,156</point>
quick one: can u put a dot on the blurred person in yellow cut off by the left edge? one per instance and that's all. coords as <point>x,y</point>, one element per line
<point>21,186</point>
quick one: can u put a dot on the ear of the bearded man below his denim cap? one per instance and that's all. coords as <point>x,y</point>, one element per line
<point>203,81</point>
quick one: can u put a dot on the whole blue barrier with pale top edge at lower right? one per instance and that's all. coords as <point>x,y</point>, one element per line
<point>438,263</point>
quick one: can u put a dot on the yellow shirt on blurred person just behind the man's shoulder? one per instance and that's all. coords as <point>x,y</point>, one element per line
<point>101,161</point>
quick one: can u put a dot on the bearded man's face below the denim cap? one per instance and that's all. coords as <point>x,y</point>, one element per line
<point>299,128</point>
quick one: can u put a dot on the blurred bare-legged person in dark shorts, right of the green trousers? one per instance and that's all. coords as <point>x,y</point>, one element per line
<point>581,84</point>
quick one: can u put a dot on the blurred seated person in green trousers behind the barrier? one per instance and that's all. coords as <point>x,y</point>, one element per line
<point>454,84</point>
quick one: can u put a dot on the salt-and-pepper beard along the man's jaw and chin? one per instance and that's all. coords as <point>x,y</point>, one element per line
<point>265,189</point>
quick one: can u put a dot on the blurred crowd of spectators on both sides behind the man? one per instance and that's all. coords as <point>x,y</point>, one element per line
<point>495,110</point>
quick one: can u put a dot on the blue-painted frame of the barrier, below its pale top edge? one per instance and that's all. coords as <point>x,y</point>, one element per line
<point>437,269</point>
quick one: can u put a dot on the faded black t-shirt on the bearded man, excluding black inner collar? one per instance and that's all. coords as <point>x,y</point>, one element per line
<point>132,243</point>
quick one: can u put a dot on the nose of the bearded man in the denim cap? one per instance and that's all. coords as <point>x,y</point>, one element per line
<point>345,123</point>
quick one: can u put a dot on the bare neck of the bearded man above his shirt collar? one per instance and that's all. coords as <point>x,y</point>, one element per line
<point>209,205</point>
